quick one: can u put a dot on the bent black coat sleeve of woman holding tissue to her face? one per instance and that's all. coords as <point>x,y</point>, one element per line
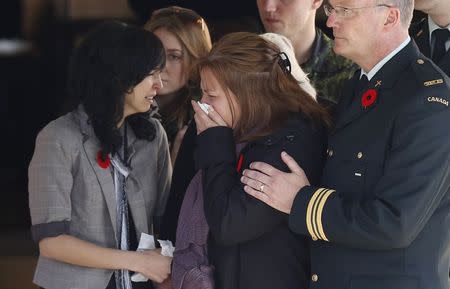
<point>232,215</point>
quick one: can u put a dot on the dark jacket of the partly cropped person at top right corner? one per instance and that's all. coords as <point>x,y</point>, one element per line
<point>420,32</point>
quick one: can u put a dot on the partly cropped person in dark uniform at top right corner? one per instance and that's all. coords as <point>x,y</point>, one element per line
<point>432,34</point>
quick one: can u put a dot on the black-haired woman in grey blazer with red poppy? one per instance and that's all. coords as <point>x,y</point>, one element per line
<point>101,173</point>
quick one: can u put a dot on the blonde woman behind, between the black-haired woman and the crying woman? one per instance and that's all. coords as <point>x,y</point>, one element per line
<point>185,36</point>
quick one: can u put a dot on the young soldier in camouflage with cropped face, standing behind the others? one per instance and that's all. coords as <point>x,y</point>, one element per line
<point>296,20</point>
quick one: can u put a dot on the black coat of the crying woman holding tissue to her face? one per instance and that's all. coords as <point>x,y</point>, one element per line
<point>250,243</point>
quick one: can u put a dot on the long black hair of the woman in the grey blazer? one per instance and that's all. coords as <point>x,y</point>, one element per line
<point>110,61</point>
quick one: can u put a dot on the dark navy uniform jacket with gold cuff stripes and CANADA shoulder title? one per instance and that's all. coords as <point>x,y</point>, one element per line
<point>383,215</point>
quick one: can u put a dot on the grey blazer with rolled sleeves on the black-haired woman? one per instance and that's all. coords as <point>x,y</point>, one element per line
<point>69,193</point>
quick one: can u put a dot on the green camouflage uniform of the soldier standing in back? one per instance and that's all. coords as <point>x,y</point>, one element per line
<point>326,70</point>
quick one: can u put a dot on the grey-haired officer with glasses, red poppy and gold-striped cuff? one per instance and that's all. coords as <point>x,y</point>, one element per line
<point>381,216</point>
